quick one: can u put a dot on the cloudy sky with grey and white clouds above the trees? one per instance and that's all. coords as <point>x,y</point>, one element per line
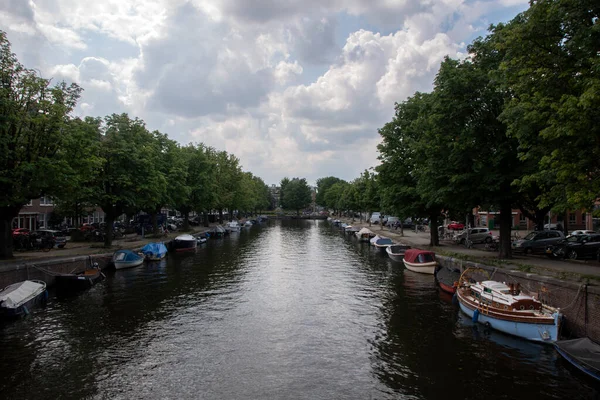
<point>292,88</point>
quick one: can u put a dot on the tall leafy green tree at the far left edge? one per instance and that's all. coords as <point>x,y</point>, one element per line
<point>33,115</point>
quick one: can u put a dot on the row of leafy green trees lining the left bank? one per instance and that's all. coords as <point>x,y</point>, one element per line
<point>113,162</point>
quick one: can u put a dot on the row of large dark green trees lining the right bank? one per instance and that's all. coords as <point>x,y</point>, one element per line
<point>514,125</point>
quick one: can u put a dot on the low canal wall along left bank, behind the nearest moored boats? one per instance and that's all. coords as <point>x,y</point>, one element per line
<point>46,270</point>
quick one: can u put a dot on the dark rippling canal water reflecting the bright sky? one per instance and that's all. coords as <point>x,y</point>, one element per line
<point>286,310</point>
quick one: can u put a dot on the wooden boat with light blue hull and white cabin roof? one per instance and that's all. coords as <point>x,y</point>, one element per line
<point>506,309</point>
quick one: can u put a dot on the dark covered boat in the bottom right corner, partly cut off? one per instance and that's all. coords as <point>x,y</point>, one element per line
<point>583,353</point>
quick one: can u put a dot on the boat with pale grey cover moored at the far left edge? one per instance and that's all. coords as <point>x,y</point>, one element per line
<point>17,299</point>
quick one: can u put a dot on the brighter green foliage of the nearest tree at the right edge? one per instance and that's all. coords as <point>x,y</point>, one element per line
<point>551,67</point>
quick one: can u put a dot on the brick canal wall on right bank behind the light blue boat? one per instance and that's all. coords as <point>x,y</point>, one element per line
<point>578,302</point>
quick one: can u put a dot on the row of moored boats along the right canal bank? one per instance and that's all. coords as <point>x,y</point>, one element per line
<point>497,305</point>
